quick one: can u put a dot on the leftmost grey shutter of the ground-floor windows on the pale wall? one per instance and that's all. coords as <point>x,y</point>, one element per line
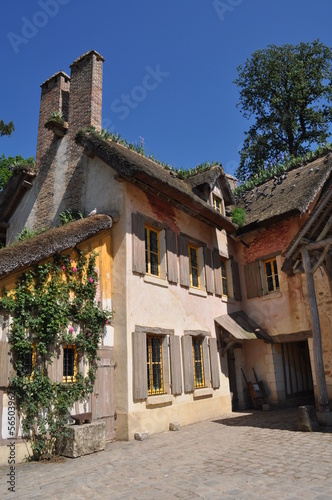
<point>140,383</point>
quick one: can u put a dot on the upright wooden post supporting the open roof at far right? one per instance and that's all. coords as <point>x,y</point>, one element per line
<point>321,395</point>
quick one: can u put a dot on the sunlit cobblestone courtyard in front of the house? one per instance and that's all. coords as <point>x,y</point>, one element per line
<point>241,456</point>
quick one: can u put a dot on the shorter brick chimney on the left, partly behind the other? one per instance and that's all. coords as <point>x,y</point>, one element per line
<point>54,97</point>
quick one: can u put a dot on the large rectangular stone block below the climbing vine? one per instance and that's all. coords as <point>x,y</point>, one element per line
<point>82,439</point>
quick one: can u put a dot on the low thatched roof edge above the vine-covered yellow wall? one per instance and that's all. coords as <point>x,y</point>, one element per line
<point>55,240</point>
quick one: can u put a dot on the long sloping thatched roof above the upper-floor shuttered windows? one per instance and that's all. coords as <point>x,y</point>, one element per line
<point>151,177</point>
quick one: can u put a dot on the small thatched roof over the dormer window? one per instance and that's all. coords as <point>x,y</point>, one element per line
<point>209,178</point>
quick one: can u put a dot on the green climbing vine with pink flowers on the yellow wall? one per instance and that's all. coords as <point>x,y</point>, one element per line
<point>52,304</point>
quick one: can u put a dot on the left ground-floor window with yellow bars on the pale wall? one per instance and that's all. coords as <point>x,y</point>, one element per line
<point>154,357</point>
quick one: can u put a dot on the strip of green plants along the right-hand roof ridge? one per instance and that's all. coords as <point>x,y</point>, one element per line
<point>263,175</point>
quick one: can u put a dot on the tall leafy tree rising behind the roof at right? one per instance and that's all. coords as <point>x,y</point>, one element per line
<point>286,91</point>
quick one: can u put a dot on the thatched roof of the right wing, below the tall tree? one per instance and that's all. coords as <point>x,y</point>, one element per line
<point>290,194</point>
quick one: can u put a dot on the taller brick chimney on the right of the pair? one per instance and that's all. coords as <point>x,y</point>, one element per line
<point>85,103</point>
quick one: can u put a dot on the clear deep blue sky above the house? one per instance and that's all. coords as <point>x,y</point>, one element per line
<point>194,46</point>
